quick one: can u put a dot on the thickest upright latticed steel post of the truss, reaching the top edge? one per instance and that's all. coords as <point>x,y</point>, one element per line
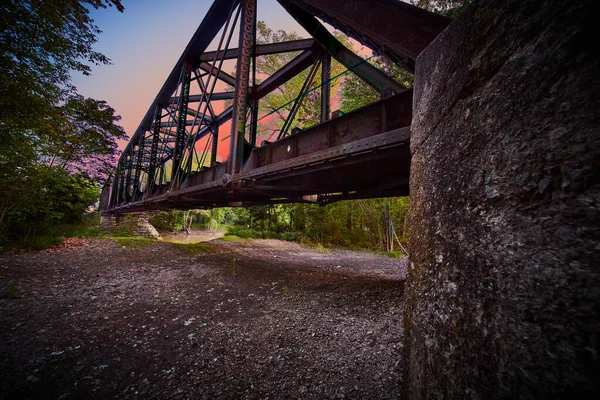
<point>240,98</point>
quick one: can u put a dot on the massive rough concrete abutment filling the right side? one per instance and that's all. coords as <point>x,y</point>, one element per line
<point>503,291</point>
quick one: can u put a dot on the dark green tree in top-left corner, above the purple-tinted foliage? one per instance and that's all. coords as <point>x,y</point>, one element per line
<point>41,42</point>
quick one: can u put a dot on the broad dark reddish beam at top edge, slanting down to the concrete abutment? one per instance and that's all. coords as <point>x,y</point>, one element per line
<point>392,28</point>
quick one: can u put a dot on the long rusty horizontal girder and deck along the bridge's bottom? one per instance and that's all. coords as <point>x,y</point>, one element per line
<point>361,154</point>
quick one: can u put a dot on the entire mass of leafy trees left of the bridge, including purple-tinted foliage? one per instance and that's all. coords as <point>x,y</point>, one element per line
<point>54,143</point>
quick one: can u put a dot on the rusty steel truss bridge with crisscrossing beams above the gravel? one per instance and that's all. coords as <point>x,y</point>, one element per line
<point>172,158</point>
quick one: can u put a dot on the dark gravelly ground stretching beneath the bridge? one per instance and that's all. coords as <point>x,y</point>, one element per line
<point>95,320</point>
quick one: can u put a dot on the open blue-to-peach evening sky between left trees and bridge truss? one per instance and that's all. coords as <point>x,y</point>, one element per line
<point>145,42</point>
